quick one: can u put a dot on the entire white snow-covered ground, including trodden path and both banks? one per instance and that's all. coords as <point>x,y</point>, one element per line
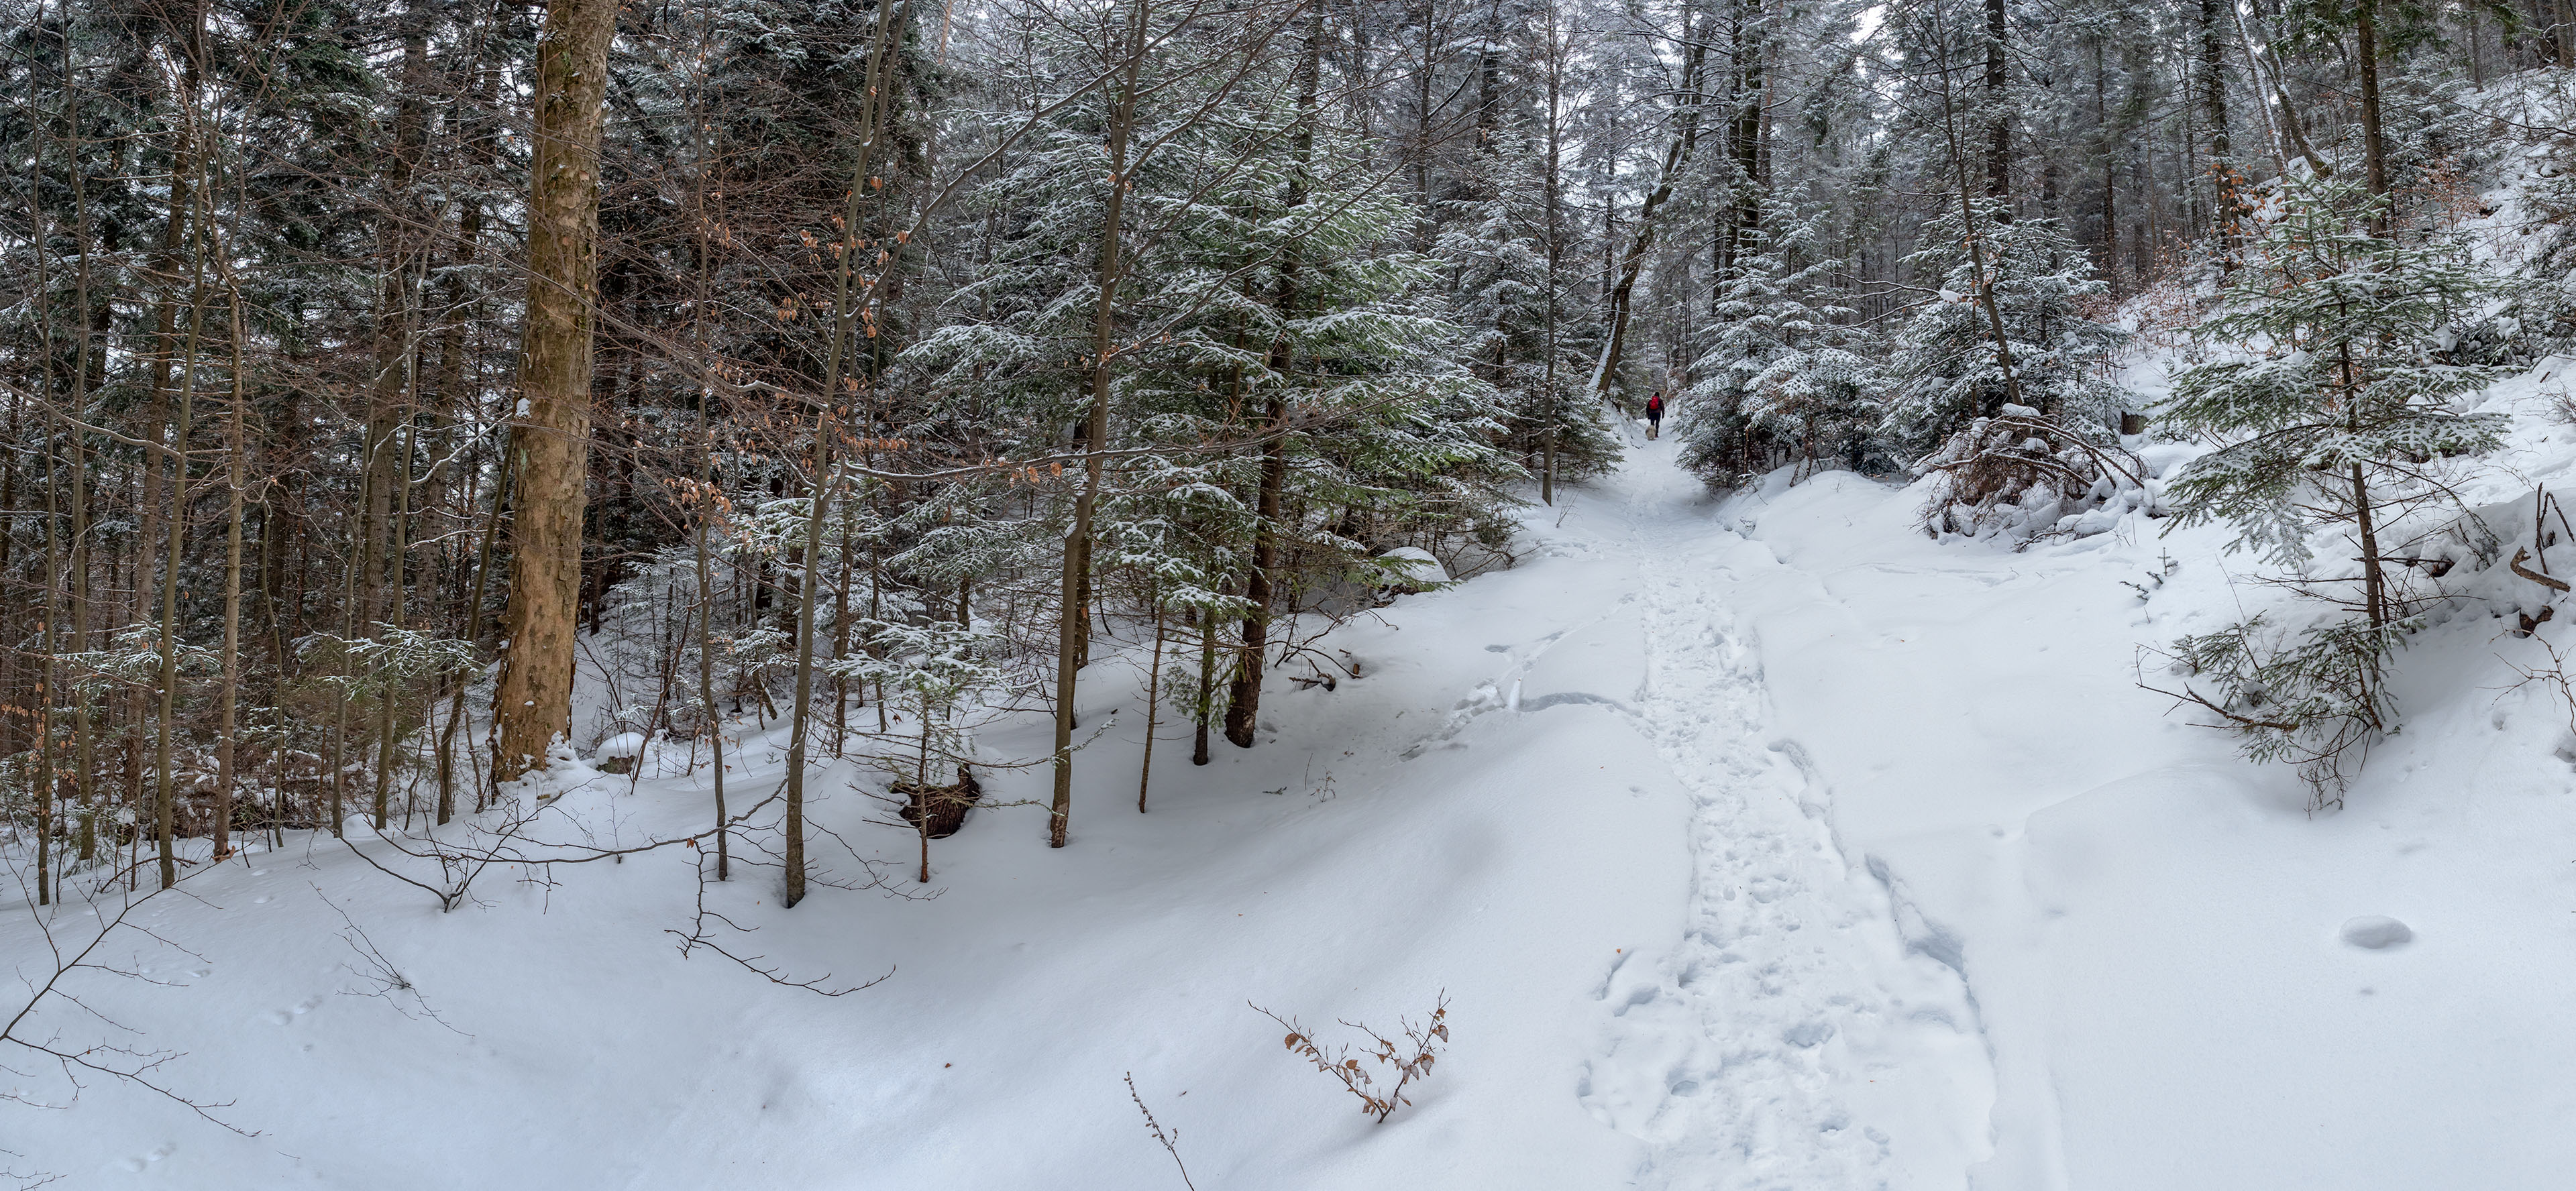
<point>1758,845</point>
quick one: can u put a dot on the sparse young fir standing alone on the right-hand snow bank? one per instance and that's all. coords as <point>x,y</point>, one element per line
<point>2335,415</point>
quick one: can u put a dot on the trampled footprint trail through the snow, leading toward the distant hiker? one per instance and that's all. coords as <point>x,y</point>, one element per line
<point>1794,1038</point>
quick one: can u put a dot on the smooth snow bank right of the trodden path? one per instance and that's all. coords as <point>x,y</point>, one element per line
<point>2155,930</point>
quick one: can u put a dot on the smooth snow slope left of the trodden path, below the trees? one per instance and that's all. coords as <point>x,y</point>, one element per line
<point>1511,863</point>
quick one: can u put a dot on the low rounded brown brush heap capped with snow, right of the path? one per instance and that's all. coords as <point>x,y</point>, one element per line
<point>2018,475</point>
